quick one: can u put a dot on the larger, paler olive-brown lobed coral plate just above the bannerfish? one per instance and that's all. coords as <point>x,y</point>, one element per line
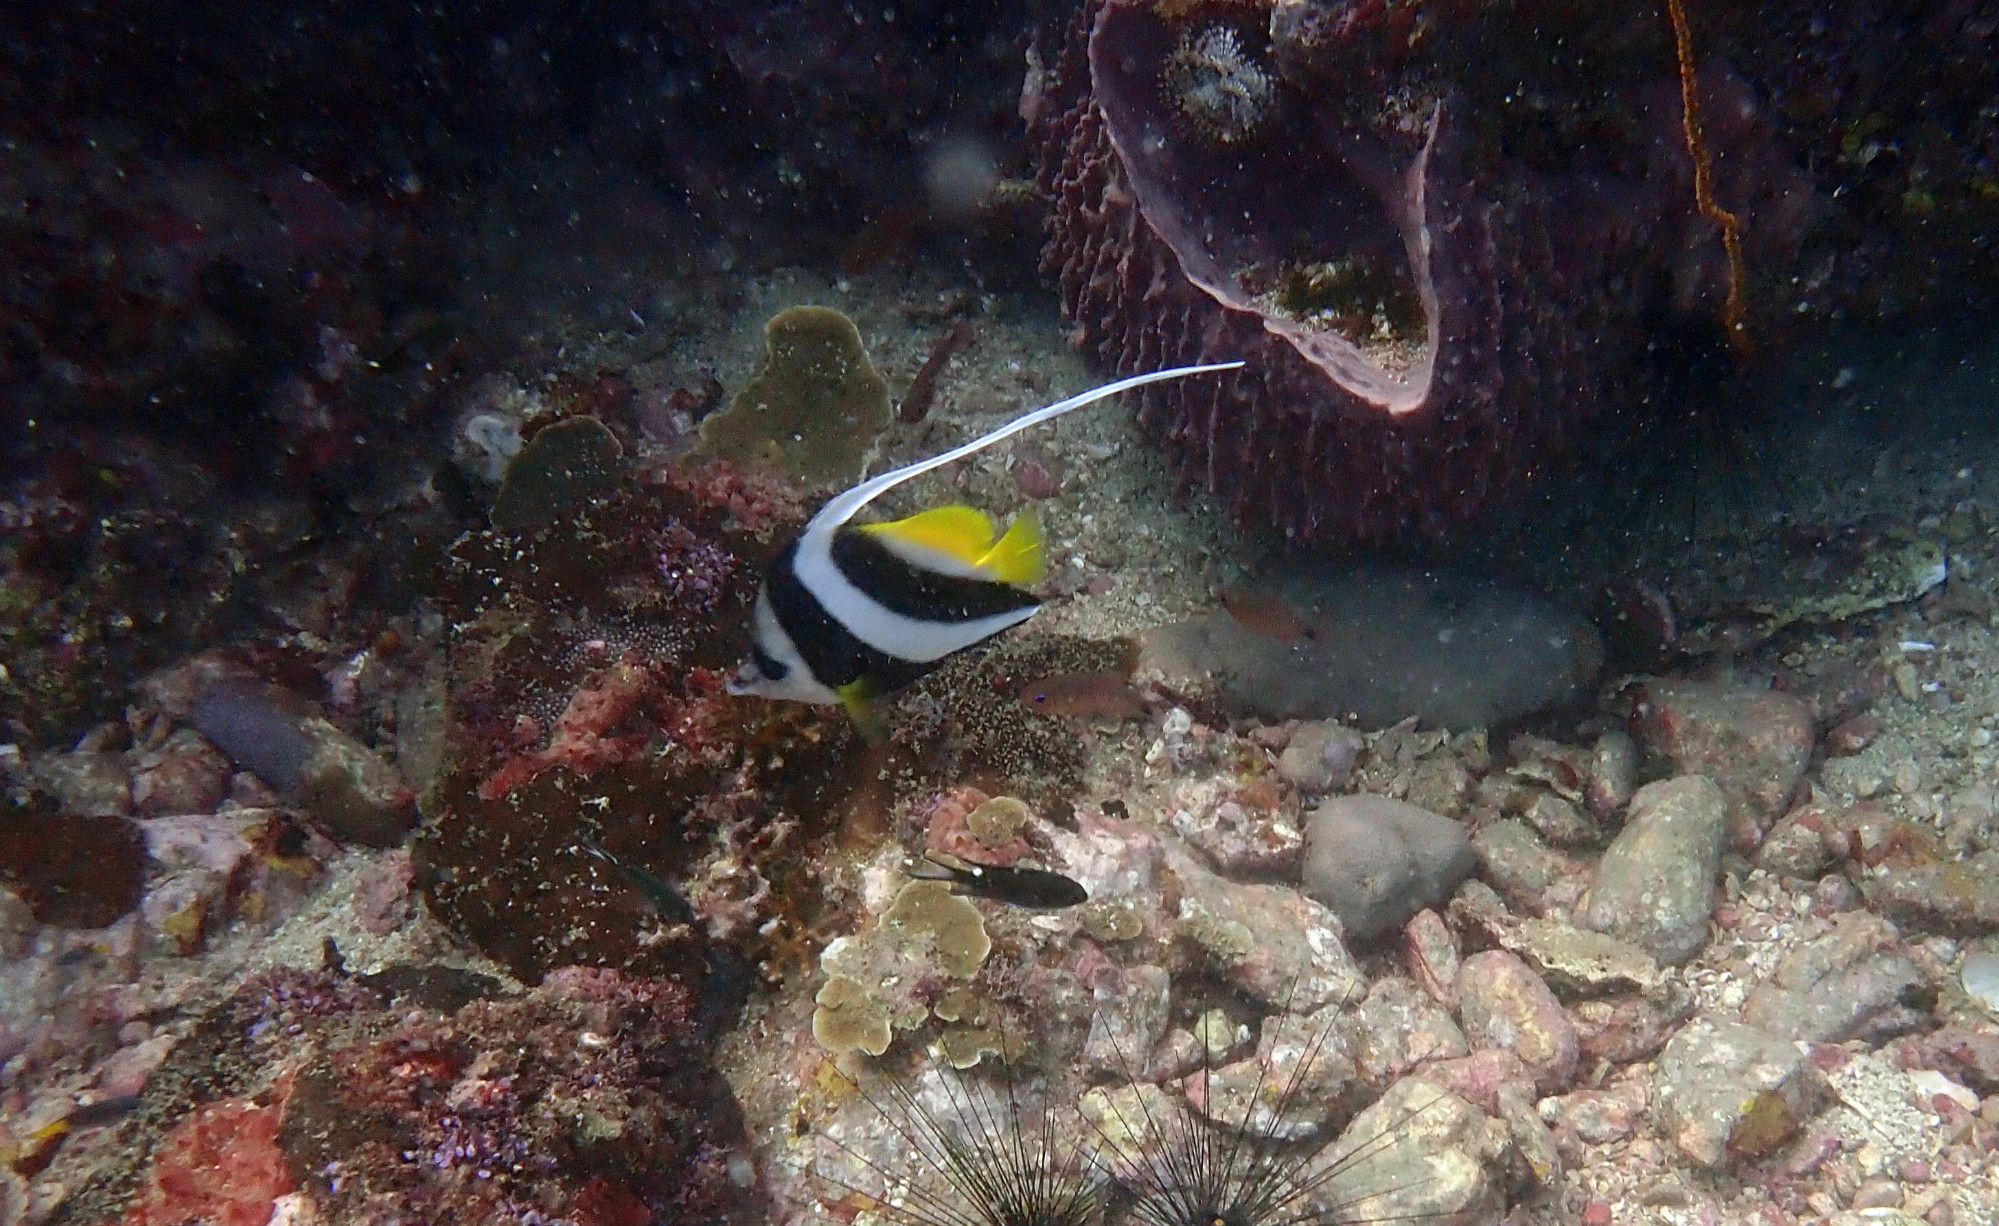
<point>815,409</point>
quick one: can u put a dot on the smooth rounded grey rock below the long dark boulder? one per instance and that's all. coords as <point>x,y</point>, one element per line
<point>1376,861</point>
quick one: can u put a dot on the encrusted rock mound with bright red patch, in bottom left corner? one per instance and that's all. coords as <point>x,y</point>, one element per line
<point>427,1095</point>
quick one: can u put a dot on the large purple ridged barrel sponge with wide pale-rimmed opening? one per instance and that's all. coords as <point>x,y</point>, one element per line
<point>1426,317</point>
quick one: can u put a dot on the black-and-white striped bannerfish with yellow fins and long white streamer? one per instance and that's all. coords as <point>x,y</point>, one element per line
<point>855,611</point>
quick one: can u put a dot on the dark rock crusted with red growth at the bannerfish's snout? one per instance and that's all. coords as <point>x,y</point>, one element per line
<point>589,713</point>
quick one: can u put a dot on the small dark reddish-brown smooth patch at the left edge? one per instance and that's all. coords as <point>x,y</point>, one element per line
<point>73,873</point>
